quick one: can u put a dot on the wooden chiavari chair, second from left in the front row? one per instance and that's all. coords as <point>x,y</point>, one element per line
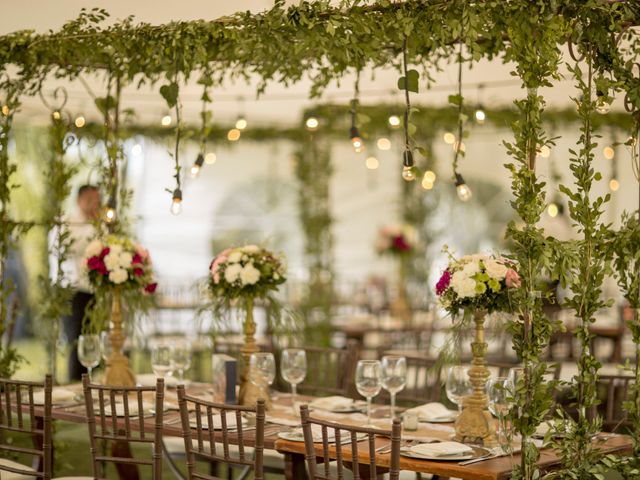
<point>105,425</point>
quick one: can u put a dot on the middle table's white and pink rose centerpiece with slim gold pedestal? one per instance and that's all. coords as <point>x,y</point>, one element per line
<point>243,274</point>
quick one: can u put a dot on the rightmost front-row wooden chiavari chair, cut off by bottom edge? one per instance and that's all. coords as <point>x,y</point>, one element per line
<point>351,433</point>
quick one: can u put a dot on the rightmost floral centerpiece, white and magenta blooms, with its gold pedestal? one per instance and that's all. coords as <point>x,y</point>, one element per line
<point>478,284</point>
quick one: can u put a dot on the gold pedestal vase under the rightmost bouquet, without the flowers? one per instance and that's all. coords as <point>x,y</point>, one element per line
<point>475,424</point>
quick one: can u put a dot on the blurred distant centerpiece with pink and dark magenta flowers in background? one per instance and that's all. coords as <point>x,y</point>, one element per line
<point>398,241</point>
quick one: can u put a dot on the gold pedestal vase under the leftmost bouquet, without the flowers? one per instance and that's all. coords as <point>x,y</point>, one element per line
<point>118,373</point>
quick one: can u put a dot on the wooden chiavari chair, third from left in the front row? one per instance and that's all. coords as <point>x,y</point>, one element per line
<point>206,447</point>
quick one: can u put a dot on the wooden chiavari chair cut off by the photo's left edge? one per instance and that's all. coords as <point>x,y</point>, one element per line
<point>17,396</point>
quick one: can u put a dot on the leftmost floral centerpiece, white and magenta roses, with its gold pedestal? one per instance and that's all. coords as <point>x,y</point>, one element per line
<point>116,266</point>
